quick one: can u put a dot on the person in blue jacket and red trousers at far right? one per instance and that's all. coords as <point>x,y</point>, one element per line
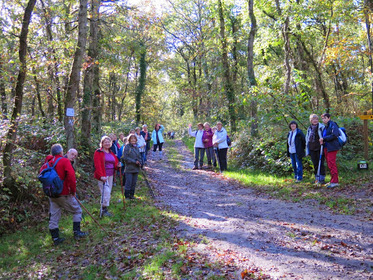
<point>331,147</point>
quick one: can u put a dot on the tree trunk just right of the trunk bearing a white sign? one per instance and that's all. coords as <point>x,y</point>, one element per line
<point>91,72</point>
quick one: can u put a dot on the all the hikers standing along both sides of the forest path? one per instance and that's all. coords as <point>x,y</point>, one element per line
<point>126,157</point>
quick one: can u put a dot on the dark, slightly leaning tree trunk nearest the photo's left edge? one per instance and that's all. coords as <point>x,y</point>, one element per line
<point>12,133</point>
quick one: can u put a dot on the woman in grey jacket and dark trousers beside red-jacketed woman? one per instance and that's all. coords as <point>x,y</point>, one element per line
<point>132,159</point>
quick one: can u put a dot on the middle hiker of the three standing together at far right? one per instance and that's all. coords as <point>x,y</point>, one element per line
<point>313,148</point>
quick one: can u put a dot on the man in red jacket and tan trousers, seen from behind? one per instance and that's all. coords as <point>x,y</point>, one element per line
<point>66,200</point>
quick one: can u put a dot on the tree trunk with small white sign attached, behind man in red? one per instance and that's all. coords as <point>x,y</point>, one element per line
<point>74,79</point>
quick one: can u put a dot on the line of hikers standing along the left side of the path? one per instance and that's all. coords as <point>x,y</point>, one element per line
<point>124,156</point>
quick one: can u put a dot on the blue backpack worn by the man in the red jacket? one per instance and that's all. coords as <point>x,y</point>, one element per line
<point>51,182</point>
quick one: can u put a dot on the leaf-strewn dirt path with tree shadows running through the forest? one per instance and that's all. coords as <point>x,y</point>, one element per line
<point>285,240</point>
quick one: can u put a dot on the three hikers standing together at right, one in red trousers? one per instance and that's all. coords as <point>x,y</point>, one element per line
<point>320,143</point>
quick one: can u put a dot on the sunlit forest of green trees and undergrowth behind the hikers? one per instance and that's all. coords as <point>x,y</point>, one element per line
<point>72,71</point>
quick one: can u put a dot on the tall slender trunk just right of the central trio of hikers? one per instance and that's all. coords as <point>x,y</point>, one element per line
<point>250,69</point>
